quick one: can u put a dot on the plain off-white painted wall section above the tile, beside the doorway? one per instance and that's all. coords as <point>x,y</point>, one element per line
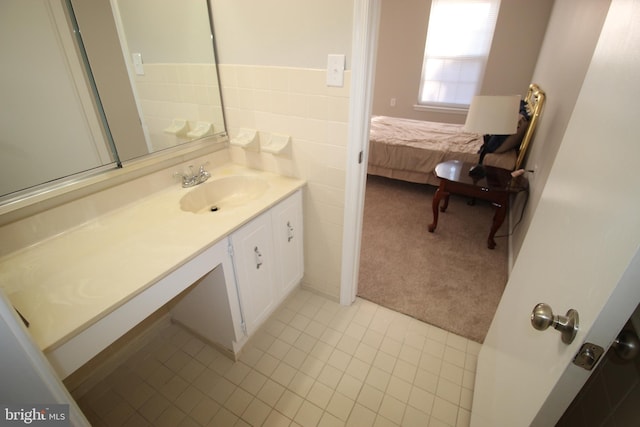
<point>285,33</point>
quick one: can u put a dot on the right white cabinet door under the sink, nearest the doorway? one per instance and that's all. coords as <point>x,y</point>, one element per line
<point>288,242</point>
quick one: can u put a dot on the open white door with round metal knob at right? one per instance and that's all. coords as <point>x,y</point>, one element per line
<point>581,250</point>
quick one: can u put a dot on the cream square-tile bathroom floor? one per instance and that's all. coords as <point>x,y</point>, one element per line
<point>313,363</point>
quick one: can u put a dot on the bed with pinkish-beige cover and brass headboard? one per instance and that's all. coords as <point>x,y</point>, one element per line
<point>409,150</point>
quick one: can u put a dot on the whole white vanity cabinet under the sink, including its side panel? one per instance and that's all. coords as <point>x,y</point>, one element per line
<point>249,275</point>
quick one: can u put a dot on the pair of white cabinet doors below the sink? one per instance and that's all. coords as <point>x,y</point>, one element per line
<point>268,259</point>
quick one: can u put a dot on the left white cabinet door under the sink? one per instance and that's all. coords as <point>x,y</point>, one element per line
<point>254,260</point>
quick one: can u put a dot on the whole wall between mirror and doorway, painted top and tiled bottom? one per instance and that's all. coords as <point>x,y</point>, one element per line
<point>272,59</point>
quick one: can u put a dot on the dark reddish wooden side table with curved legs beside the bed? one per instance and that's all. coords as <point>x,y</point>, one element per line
<point>495,187</point>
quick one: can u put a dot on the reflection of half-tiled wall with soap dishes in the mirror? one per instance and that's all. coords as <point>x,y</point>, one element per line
<point>168,46</point>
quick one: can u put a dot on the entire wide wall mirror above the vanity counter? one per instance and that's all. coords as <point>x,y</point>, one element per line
<point>52,126</point>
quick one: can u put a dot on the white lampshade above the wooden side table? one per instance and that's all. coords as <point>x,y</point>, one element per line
<point>493,115</point>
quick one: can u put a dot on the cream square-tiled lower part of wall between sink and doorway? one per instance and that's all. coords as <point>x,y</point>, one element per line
<point>298,103</point>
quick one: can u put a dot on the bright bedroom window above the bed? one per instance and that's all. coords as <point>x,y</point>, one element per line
<point>458,43</point>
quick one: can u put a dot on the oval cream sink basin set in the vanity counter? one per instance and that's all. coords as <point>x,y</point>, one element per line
<point>223,193</point>
